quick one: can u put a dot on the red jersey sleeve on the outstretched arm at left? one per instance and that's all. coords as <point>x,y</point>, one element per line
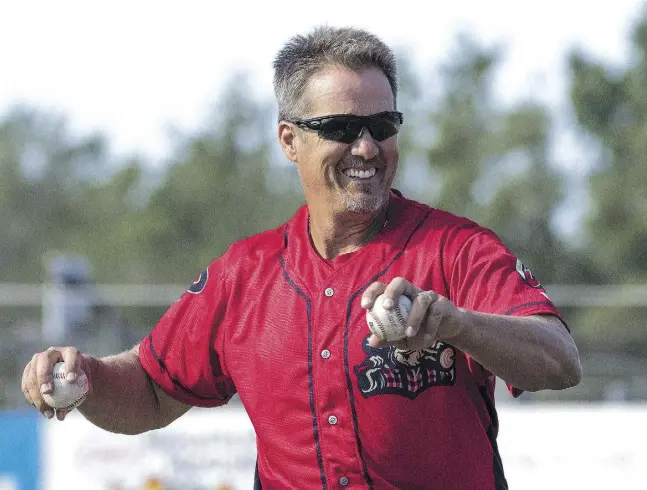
<point>184,353</point>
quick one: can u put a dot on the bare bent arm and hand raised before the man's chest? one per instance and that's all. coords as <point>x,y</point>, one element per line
<point>531,353</point>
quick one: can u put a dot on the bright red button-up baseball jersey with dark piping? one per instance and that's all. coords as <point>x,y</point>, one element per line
<point>284,328</point>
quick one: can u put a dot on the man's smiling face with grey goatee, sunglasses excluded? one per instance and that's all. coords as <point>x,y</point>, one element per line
<point>344,177</point>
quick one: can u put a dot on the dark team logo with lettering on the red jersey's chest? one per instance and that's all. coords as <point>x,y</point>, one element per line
<point>405,372</point>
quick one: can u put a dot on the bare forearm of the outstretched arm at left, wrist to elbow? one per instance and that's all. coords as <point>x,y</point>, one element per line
<point>122,398</point>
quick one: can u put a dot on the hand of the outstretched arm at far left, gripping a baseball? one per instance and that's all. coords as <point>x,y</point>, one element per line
<point>37,376</point>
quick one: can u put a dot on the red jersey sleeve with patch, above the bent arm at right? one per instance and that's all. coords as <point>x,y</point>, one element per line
<point>487,277</point>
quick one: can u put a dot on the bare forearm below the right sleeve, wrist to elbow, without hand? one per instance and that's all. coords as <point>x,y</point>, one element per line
<point>531,353</point>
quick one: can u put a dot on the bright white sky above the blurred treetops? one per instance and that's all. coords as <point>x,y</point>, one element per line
<point>136,69</point>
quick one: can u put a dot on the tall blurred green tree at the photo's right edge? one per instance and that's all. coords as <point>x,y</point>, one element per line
<point>611,106</point>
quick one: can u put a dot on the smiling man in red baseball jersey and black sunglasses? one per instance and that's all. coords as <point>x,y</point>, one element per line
<point>280,317</point>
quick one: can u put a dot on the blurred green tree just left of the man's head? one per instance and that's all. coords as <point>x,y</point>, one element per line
<point>223,185</point>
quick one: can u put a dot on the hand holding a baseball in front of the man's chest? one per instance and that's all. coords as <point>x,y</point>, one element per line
<point>432,317</point>
